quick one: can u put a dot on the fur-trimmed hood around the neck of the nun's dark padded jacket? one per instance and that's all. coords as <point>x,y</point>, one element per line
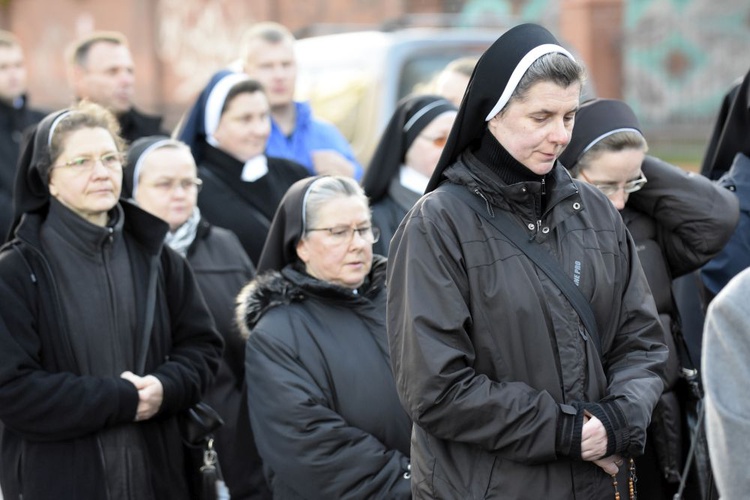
<point>292,284</point>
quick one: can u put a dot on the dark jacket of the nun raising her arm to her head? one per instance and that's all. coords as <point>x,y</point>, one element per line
<point>678,221</point>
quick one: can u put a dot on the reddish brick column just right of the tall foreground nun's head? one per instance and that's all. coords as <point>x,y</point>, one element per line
<point>594,29</point>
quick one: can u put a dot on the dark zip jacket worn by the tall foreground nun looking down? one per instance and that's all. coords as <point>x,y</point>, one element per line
<point>491,361</point>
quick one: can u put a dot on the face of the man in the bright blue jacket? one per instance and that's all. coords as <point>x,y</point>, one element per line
<point>273,65</point>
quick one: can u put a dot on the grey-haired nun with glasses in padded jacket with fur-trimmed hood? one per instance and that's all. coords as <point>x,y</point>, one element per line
<point>323,404</point>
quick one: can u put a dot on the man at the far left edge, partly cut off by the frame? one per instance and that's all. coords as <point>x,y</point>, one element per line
<point>15,116</point>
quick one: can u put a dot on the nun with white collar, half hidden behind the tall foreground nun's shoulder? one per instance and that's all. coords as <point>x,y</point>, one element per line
<point>404,160</point>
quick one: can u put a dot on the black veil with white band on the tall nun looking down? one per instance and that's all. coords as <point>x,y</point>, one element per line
<point>493,81</point>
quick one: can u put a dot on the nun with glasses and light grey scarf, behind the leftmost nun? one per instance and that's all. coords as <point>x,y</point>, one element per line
<point>161,177</point>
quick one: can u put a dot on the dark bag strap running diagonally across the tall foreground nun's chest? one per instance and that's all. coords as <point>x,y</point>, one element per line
<point>538,255</point>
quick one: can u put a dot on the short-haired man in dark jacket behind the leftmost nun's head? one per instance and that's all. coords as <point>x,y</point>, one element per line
<point>101,70</point>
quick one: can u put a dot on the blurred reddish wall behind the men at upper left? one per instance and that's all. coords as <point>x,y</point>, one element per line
<point>176,44</point>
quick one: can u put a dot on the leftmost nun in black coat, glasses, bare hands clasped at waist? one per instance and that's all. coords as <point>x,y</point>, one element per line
<point>105,338</point>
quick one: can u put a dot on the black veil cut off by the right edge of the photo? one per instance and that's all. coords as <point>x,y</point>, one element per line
<point>731,133</point>
